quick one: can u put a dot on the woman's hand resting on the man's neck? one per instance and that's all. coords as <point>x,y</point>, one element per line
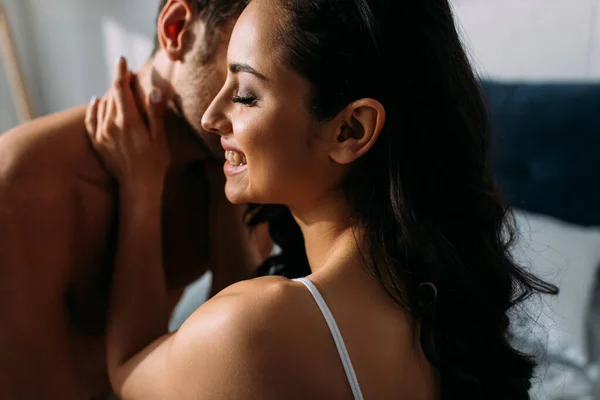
<point>138,156</point>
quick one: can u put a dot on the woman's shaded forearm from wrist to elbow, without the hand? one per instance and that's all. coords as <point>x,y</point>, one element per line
<point>139,309</point>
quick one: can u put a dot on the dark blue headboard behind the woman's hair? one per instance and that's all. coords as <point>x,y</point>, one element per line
<point>546,147</point>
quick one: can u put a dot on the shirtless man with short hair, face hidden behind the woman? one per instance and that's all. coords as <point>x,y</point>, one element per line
<point>58,215</point>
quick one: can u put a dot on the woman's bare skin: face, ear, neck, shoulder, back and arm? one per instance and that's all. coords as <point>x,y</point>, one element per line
<point>263,338</point>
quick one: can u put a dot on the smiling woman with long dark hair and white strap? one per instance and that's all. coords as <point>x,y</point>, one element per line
<point>364,119</point>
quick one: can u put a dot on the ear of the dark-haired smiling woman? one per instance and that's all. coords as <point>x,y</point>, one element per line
<point>357,128</point>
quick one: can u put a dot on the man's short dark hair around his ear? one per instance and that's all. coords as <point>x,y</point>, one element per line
<point>214,13</point>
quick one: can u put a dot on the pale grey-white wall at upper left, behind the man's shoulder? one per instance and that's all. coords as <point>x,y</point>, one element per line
<point>68,47</point>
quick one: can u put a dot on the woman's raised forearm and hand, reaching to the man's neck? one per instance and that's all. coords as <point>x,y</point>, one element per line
<point>139,309</point>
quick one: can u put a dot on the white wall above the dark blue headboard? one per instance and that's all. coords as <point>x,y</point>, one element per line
<point>532,39</point>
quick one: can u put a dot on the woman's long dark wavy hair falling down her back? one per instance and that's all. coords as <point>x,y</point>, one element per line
<point>424,194</point>
